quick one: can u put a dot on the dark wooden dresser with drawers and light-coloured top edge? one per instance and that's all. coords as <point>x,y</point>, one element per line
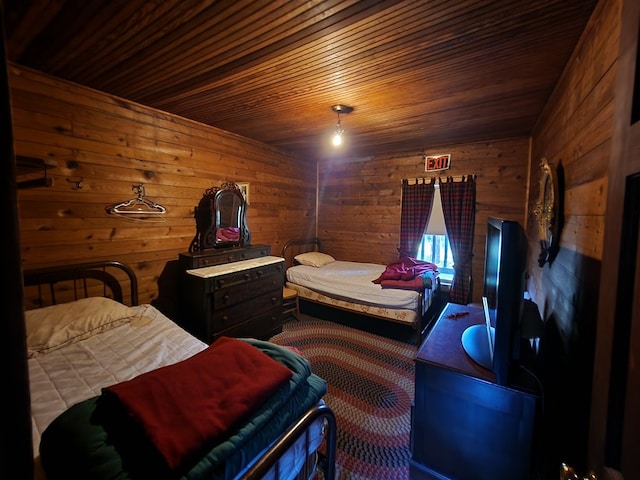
<point>234,298</point>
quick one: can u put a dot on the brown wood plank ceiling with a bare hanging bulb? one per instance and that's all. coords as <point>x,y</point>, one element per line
<point>418,73</point>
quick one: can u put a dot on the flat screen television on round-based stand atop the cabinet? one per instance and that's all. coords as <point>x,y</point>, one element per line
<point>503,287</point>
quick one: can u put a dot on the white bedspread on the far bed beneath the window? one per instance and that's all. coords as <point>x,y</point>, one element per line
<point>353,281</point>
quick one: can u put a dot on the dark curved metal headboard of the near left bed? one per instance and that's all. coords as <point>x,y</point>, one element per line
<point>51,285</point>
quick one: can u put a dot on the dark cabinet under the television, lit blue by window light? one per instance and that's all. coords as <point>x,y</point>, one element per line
<point>464,425</point>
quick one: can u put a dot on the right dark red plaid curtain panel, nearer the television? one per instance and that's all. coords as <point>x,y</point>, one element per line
<point>459,209</point>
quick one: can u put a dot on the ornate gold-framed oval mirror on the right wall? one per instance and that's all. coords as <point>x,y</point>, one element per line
<point>546,211</point>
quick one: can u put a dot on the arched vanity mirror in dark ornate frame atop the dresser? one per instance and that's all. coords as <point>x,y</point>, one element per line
<point>221,219</point>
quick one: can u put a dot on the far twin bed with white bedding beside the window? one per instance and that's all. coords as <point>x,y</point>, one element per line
<point>320,278</point>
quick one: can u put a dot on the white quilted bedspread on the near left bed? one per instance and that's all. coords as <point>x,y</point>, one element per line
<point>76,372</point>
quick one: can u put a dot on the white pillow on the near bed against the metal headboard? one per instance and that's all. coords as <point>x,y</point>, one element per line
<point>50,328</point>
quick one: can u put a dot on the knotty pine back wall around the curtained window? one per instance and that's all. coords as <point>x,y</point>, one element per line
<point>360,201</point>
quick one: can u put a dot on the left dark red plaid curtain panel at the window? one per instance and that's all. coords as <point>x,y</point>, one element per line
<point>416,210</point>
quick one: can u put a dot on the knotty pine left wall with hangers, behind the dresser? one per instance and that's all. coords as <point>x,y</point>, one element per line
<point>111,144</point>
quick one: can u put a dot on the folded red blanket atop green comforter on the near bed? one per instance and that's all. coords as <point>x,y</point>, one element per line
<point>186,406</point>
